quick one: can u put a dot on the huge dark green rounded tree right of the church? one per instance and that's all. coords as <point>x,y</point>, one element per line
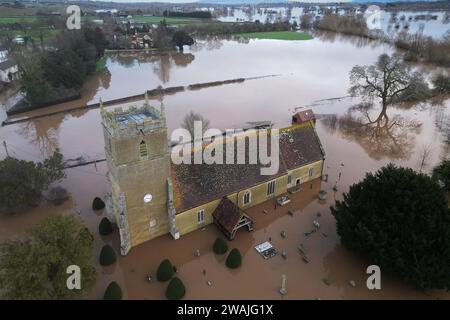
<point>400,220</point>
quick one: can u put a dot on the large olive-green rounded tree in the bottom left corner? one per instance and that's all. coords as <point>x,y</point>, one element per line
<point>46,250</point>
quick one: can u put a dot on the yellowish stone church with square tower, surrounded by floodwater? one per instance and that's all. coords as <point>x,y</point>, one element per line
<point>149,196</point>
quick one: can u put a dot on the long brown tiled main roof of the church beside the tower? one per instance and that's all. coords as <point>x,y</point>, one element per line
<point>197,184</point>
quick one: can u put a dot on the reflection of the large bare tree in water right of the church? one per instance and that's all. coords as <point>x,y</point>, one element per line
<point>383,136</point>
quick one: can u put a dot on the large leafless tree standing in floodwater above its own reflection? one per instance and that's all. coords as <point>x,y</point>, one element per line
<point>387,79</point>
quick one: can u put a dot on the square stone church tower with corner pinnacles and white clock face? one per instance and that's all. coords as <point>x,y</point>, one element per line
<point>139,198</point>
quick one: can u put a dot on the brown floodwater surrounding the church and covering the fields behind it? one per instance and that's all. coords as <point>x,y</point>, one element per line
<point>309,72</point>
